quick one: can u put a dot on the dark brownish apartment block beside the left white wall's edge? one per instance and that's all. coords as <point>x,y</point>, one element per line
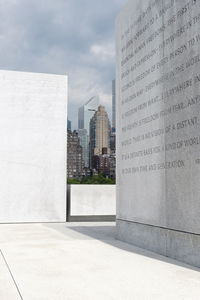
<point>75,162</point>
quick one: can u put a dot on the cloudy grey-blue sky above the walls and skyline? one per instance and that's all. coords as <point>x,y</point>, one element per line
<point>73,37</point>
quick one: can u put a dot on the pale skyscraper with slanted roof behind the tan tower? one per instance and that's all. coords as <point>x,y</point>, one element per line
<point>86,112</point>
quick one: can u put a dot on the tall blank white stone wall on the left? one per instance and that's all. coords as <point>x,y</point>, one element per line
<point>33,122</point>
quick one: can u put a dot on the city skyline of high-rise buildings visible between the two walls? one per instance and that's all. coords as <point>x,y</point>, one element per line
<point>92,151</point>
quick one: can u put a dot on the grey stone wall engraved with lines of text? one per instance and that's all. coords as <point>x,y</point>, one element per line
<point>158,158</point>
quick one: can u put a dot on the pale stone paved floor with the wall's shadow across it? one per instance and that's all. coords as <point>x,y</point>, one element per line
<point>84,261</point>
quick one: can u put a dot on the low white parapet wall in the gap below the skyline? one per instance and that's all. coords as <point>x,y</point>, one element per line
<point>93,200</point>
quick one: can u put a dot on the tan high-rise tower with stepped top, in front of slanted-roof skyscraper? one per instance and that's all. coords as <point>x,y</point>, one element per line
<point>99,134</point>
